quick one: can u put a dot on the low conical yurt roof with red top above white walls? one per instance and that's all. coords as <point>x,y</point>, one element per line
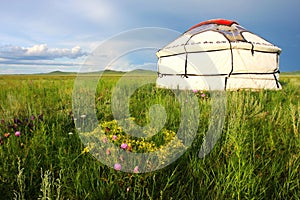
<point>217,34</point>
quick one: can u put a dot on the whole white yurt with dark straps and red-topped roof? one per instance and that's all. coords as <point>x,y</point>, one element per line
<point>218,54</point>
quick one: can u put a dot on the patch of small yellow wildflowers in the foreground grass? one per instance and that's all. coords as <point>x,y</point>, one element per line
<point>110,141</point>
